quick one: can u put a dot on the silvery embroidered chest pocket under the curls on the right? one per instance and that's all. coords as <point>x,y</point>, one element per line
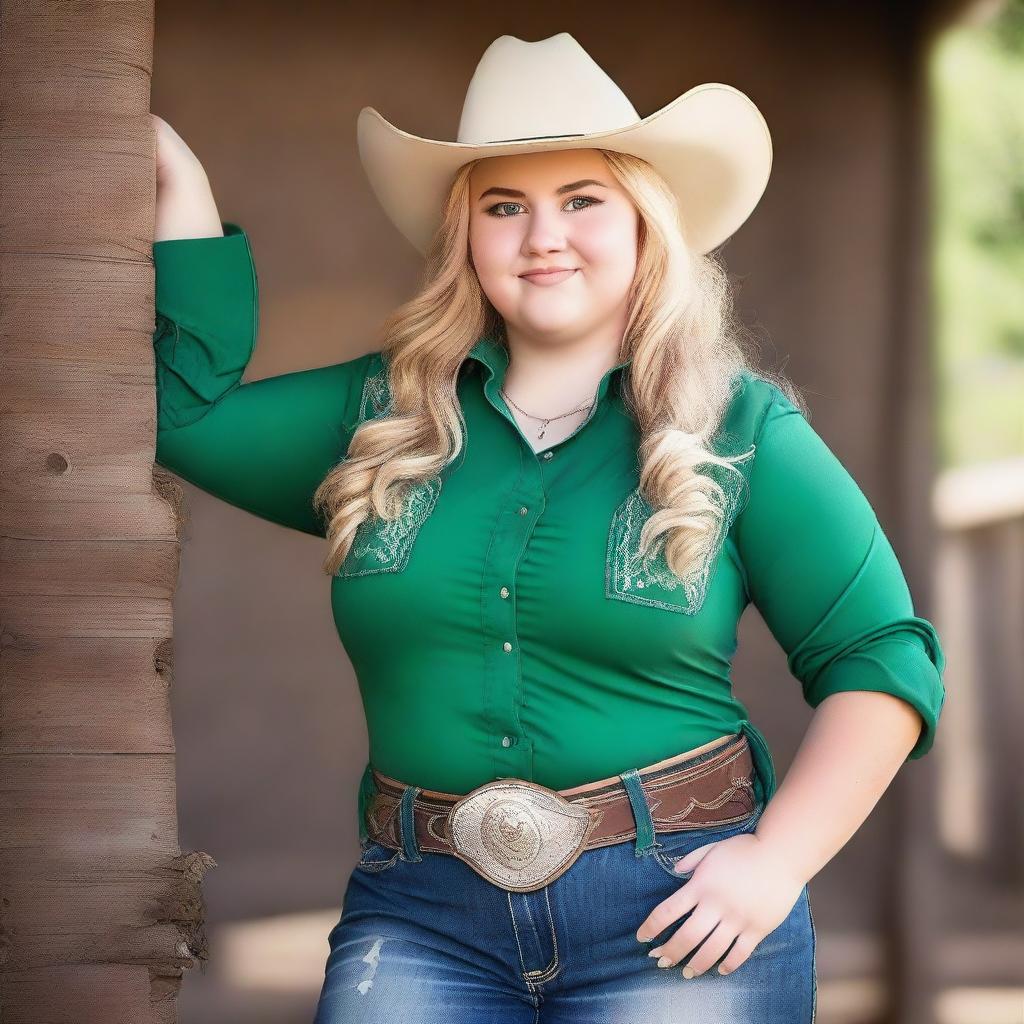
<point>651,581</point>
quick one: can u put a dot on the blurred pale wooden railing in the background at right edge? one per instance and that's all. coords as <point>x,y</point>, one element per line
<point>980,618</point>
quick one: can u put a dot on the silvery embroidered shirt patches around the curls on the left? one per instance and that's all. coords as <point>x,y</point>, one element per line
<point>381,545</point>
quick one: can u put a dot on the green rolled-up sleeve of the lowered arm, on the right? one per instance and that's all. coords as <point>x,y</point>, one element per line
<point>825,577</point>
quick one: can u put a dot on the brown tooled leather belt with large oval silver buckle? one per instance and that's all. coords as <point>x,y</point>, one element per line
<point>522,836</point>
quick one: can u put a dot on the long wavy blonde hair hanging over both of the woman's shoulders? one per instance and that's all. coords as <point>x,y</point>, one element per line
<point>687,346</point>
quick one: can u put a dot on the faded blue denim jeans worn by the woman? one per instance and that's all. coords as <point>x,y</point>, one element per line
<point>424,940</point>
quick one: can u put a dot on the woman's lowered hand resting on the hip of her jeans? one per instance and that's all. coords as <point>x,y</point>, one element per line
<point>740,890</point>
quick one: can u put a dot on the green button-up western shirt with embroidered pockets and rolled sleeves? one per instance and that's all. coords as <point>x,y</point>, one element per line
<point>504,626</point>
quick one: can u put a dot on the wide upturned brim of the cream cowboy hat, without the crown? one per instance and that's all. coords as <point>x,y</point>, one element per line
<point>711,145</point>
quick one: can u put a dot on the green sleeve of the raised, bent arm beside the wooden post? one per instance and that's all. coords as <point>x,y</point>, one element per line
<point>263,446</point>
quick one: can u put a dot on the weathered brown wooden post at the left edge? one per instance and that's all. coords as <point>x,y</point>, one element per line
<point>101,911</point>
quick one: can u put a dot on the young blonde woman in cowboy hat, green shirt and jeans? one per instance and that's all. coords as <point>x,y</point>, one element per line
<point>548,495</point>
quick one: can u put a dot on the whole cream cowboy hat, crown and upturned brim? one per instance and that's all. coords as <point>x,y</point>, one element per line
<point>711,145</point>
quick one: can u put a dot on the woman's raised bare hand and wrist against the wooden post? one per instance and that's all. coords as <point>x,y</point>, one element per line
<point>186,208</point>
